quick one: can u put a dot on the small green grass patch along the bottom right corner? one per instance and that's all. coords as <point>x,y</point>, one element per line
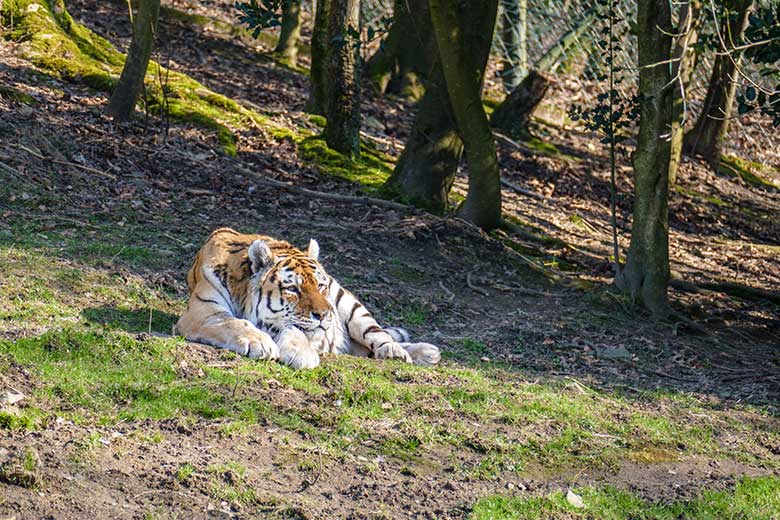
<point>754,498</point>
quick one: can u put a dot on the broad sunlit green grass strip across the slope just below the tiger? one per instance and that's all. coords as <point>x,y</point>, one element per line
<point>400,410</point>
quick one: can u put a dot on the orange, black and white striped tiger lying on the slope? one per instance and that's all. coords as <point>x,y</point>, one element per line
<point>264,298</point>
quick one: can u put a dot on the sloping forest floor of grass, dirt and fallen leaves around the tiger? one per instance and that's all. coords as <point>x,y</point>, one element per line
<point>550,381</point>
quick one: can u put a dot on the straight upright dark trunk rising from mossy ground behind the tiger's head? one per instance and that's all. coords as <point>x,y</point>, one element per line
<point>342,130</point>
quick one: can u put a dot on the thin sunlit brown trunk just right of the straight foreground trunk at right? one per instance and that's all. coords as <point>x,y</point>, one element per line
<point>683,65</point>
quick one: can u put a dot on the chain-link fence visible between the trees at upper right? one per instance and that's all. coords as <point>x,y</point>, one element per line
<point>561,37</point>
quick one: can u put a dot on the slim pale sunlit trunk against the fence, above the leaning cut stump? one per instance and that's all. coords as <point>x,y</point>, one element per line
<point>514,38</point>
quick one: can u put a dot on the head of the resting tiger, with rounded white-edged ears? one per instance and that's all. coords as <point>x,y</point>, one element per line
<point>292,287</point>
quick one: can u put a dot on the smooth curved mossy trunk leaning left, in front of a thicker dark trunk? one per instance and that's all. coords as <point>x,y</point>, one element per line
<point>460,30</point>
